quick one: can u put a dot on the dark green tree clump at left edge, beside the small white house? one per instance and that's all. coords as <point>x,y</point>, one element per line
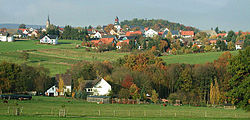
<point>15,78</point>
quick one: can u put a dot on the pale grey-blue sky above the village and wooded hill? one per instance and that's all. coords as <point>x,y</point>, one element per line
<point>202,14</point>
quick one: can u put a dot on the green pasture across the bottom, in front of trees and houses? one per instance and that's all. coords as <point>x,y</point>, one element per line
<point>40,108</point>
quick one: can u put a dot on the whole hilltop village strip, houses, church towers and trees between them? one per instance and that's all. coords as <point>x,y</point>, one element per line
<point>123,37</point>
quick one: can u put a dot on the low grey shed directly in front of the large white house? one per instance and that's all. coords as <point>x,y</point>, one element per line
<point>99,99</point>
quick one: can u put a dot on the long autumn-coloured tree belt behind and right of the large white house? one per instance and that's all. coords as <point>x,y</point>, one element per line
<point>226,80</point>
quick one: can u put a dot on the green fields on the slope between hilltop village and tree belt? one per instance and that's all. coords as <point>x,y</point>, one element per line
<point>59,58</point>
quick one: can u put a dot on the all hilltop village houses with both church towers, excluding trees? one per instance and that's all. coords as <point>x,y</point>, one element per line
<point>117,35</point>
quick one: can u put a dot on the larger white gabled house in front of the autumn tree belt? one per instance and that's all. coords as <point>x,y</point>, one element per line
<point>102,87</point>
